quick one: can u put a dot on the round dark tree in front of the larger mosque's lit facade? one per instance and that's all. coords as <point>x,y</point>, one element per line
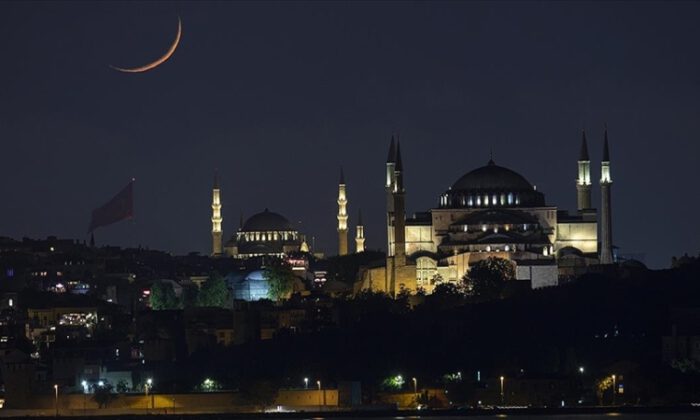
<point>486,278</point>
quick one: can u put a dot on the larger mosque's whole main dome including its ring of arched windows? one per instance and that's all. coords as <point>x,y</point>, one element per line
<point>491,186</point>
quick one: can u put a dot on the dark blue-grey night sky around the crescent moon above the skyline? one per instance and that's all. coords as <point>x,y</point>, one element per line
<point>278,96</point>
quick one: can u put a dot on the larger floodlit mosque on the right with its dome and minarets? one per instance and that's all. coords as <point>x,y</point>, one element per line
<point>491,211</point>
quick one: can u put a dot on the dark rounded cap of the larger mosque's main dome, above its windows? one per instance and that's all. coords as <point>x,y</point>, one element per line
<point>492,178</point>
